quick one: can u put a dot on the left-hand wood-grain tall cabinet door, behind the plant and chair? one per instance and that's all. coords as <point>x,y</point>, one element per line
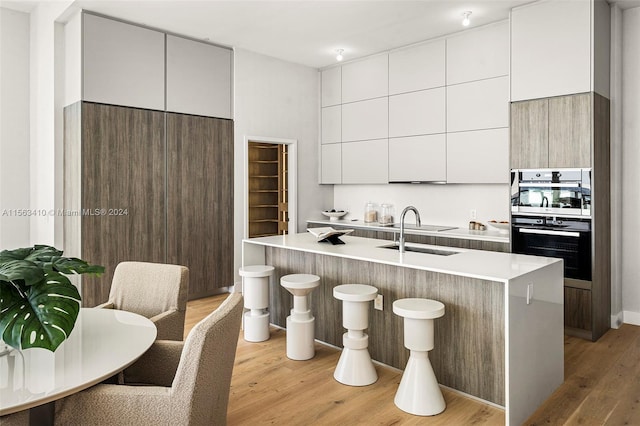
<point>122,186</point>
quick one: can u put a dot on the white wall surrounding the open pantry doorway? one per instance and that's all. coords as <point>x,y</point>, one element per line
<point>277,99</point>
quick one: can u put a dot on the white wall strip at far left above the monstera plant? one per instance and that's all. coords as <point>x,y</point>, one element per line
<point>14,127</point>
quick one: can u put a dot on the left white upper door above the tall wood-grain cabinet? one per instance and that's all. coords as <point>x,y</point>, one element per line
<point>123,64</point>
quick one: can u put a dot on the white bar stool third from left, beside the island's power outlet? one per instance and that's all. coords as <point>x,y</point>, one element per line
<point>355,367</point>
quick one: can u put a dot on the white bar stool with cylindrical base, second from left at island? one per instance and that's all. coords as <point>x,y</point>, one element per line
<point>300,333</point>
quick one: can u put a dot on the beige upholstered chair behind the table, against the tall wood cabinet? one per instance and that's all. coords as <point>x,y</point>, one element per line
<point>154,290</point>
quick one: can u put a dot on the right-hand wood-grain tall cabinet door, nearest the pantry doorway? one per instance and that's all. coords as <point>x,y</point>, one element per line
<point>200,200</point>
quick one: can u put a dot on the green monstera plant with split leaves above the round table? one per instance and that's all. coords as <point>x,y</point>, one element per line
<point>38,304</point>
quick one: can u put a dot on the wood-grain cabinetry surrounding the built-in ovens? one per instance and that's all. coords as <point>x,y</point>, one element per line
<point>573,132</point>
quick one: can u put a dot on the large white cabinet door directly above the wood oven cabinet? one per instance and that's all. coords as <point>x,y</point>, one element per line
<point>550,49</point>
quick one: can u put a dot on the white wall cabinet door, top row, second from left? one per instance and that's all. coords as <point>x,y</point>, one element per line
<point>365,79</point>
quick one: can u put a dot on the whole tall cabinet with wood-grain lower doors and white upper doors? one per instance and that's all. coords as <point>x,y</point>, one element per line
<point>148,153</point>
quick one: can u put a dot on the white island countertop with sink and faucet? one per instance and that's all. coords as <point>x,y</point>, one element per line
<point>487,265</point>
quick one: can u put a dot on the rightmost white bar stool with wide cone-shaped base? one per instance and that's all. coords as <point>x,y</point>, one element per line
<point>419,392</point>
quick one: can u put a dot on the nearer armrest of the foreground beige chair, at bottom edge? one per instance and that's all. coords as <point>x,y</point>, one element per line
<point>115,404</point>
